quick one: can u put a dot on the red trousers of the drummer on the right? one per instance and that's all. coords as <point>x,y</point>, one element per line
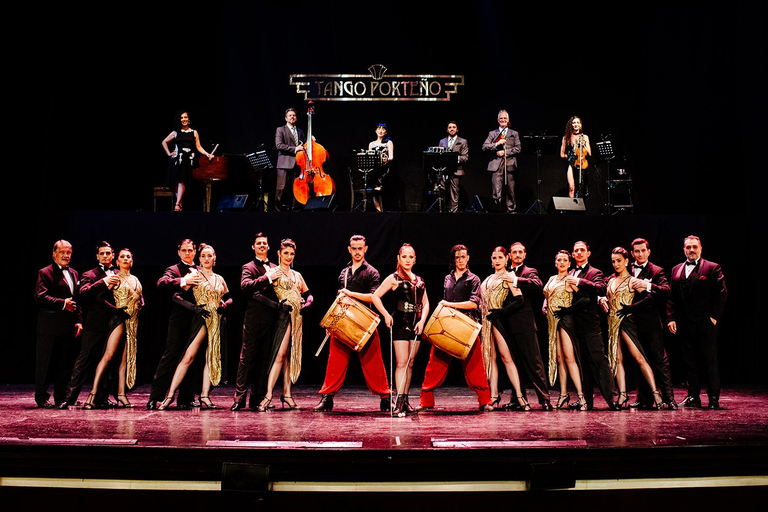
<point>437,370</point>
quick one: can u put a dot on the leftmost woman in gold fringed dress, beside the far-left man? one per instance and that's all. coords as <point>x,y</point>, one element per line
<point>123,325</point>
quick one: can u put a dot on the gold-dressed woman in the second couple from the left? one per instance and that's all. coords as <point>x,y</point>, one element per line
<point>210,305</point>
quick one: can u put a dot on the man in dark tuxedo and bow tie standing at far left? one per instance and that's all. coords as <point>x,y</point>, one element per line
<point>59,323</point>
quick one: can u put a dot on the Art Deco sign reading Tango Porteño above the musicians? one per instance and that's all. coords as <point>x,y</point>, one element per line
<point>377,86</point>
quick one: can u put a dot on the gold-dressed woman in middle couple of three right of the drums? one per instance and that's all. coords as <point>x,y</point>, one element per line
<point>563,352</point>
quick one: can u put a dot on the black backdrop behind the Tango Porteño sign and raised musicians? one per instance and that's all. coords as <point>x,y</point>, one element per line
<point>678,90</point>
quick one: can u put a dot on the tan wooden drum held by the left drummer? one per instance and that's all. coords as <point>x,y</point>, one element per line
<point>350,322</point>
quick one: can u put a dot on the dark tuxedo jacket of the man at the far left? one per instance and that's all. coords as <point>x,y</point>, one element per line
<point>51,290</point>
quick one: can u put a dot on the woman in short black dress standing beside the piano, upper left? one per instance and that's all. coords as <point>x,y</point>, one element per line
<point>184,155</point>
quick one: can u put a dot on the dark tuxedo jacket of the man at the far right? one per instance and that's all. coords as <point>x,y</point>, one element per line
<point>699,297</point>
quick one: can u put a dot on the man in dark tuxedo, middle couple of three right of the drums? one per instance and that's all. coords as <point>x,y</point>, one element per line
<point>590,283</point>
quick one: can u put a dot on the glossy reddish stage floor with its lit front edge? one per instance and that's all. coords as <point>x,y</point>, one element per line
<point>356,451</point>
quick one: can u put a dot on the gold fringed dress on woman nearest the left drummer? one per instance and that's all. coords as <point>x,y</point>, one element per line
<point>288,289</point>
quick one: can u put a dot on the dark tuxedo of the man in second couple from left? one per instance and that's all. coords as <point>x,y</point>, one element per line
<point>180,321</point>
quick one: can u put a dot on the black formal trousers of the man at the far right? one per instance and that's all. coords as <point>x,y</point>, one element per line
<point>698,340</point>
